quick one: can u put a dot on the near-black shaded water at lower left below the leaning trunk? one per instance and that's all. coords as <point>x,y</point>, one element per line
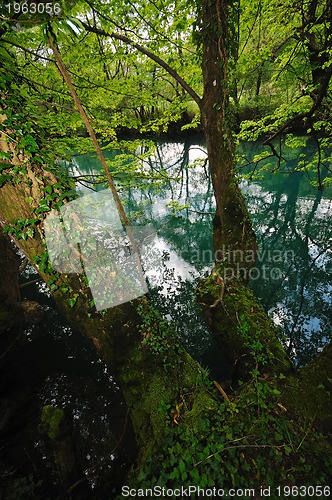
<point>52,364</point>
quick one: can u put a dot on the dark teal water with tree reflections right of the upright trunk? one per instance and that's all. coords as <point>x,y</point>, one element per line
<point>293,220</point>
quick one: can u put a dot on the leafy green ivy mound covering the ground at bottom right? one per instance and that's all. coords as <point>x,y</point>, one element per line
<point>250,441</point>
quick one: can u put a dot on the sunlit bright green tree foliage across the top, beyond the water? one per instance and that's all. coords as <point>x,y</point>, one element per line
<point>119,56</point>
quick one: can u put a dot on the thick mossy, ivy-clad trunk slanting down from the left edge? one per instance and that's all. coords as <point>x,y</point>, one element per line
<point>29,188</point>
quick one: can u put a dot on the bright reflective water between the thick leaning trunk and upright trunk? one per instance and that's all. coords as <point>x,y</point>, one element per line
<point>187,234</point>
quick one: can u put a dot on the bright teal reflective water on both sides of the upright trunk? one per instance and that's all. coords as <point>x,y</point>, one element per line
<point>290,217</point>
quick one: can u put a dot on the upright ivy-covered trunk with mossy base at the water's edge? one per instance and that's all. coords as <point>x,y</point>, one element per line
<point>227,303</point>
